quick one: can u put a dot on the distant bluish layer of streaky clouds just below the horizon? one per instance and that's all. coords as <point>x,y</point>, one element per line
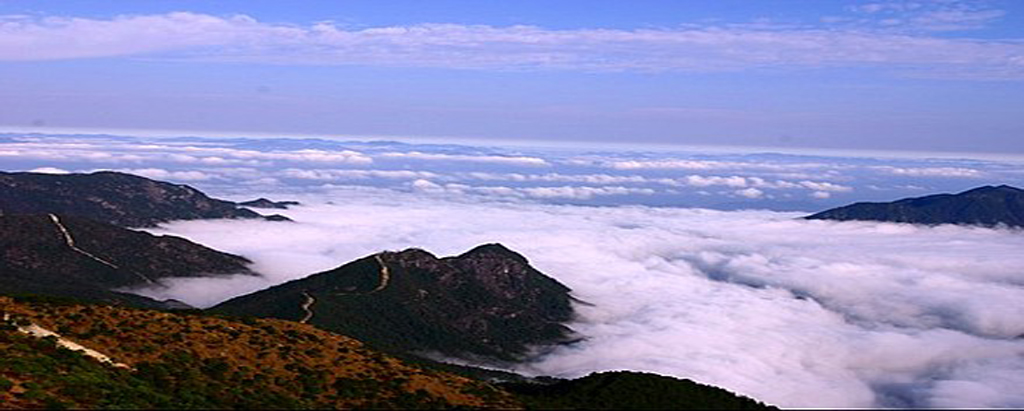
<point>726,181</point>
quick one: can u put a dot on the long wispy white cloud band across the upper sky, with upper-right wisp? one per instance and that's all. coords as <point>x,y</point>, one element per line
<point>241,38</point>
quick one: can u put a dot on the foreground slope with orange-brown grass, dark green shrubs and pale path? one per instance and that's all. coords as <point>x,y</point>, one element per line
<point>59,355</point>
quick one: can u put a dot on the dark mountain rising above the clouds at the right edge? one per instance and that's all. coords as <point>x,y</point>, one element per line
<point>983,207</point>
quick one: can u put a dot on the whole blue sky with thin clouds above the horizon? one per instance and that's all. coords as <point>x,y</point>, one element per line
<point>913,76</point>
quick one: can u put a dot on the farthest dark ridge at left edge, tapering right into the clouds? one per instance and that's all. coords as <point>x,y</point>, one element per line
<point>114,198</point>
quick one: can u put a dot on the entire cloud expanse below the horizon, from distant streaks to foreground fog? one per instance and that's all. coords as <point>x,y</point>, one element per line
<point>690,264</point>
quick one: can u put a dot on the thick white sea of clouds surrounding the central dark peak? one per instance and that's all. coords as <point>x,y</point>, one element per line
<point>796,313</point>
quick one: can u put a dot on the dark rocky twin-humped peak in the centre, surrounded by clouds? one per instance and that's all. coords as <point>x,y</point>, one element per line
<point>488,304</point>
